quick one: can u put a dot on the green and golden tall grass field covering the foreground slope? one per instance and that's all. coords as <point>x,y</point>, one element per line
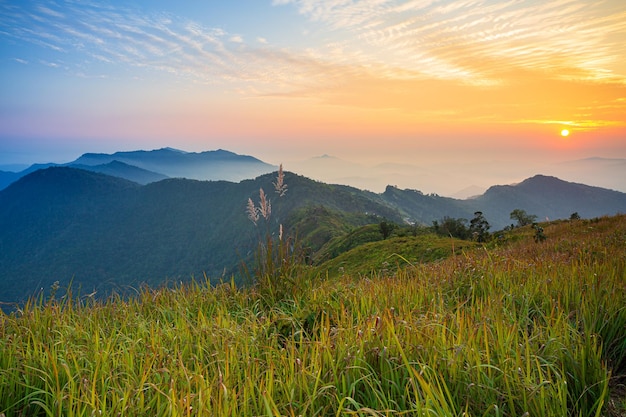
<point>514,329</point>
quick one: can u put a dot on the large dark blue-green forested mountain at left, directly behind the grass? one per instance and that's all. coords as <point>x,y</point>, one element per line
<point>106,233</point>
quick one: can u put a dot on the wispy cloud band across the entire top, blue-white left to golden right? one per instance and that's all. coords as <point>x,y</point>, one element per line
<point>474,41</point>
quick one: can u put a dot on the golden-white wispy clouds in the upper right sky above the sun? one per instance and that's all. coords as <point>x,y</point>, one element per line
<point>476,40</point>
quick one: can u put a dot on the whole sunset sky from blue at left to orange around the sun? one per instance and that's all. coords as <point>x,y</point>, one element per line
<point>474,91</point>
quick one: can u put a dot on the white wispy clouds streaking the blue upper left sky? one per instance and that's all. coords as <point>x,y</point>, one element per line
<point>94,33</point>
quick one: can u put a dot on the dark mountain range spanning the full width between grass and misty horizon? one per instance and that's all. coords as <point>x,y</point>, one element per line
<point>108,233</point>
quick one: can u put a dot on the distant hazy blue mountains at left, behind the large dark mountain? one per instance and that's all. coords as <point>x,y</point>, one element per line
<point>145,167</point>
